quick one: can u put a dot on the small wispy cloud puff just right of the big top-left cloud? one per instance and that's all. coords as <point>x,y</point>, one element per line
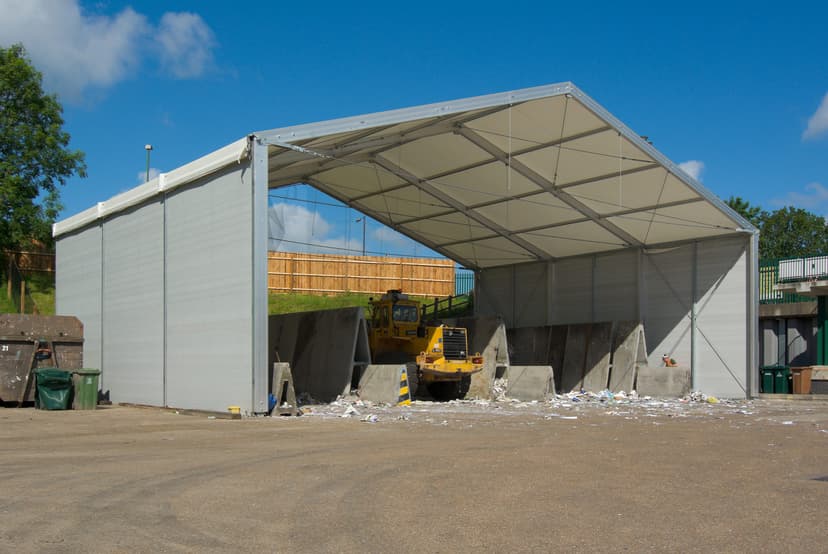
<point>186,44</point>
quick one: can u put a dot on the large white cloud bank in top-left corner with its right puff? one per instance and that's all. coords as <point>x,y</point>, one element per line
<point>77,50</point>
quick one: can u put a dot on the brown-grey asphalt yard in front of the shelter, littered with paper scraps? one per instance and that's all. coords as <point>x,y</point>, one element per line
<point>463,477</point>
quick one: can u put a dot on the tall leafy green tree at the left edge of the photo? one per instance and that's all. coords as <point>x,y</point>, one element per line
<point>34,154</point>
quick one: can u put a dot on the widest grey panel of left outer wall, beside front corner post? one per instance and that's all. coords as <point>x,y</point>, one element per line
<point>209,293</point>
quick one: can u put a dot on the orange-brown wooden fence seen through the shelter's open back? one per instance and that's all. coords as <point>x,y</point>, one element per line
<point>330,274</point>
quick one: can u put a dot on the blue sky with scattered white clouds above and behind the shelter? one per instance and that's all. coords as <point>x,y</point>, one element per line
<point>738,91</point>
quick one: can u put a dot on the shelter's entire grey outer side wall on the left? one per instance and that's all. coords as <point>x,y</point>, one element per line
<point>165,293</point>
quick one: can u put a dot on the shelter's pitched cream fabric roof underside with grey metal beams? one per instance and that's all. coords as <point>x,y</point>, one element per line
<point>537,174</point>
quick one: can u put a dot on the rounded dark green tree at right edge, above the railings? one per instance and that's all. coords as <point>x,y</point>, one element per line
<point>792,232</point>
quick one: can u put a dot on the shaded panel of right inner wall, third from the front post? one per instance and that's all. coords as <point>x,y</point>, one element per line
<point>616,287</point>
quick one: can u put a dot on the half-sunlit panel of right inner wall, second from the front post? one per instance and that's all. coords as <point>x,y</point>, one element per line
<point>668,286</point>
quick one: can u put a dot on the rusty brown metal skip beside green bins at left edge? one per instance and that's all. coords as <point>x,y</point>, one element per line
<point>28,342</point>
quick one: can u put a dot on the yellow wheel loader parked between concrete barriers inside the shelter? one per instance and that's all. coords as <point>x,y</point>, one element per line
<point>437,356</point>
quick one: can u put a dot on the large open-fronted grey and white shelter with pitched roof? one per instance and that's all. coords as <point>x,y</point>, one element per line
<point>566,215</point>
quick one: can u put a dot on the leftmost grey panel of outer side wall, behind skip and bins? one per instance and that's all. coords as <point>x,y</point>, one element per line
<point>78,289</point>
